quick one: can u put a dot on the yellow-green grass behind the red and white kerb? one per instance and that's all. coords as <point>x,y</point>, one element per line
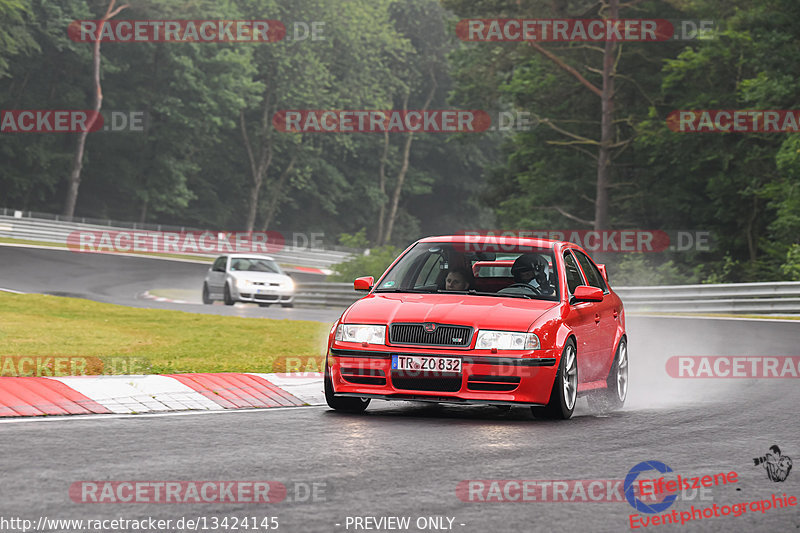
<point>155,341</point>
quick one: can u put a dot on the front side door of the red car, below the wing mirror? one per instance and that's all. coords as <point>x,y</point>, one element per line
<point>581,319</point>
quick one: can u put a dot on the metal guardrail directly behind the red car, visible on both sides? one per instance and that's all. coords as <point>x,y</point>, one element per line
<point>780,297</point>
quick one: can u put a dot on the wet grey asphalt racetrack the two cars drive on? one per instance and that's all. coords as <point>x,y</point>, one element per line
<point>405,459</point>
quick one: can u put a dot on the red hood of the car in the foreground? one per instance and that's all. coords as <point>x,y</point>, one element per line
<point>480,312</point>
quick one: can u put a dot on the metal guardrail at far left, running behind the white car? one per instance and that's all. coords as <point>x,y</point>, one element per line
<point>56,231</point>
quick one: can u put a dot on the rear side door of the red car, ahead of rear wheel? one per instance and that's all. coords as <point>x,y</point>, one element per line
<point>606,313</point>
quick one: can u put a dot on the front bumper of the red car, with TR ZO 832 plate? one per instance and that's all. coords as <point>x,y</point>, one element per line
<point>484,378</point>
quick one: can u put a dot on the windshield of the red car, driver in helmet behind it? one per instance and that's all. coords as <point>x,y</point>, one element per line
<point>525,272</point>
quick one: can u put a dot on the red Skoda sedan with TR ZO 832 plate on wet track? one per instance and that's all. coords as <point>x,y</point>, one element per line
<point>545,330</point>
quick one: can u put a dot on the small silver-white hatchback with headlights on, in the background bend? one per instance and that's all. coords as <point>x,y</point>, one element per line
<point>247,278</point>
